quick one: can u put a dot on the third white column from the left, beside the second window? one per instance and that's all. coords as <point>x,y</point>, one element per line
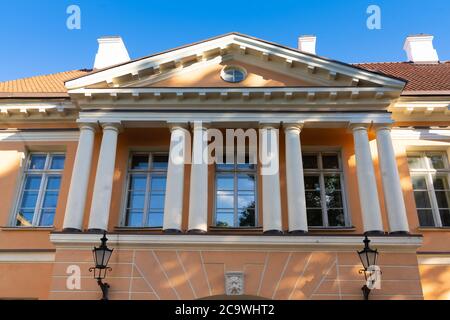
<point>173,208</point>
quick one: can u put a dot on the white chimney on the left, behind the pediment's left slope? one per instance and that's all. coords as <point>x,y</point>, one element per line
<point>111,51</point>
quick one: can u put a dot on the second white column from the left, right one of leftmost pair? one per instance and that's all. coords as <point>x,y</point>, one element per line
<point>101,198</point>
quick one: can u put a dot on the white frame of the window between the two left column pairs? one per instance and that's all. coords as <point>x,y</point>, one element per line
<point>149,173</point>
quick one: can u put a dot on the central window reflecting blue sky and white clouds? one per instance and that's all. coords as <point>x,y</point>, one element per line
<point>236,194</point>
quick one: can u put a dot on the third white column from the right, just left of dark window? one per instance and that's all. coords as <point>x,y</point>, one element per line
<point>295,183</point>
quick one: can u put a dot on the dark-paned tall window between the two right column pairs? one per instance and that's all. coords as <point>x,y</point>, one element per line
<point>323,189</point>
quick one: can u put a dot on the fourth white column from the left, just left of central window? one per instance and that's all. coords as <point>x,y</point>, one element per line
<point>198,196</point>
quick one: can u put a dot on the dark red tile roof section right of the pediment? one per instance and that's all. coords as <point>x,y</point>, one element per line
<point>422,78</point>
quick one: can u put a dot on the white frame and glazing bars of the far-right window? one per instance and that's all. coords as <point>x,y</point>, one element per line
<point>429,173</point>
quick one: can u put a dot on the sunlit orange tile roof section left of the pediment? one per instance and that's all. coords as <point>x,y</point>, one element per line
<point>49,86</point>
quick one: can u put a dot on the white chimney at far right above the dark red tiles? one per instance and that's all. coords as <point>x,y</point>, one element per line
<point>419,49</point>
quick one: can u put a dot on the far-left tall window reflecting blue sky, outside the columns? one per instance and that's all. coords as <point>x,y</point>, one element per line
<point>40,190</point>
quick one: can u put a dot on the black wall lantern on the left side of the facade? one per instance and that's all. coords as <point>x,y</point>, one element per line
<point>102,255</point>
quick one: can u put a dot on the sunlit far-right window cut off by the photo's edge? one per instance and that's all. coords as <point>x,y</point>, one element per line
<point>430,178</point>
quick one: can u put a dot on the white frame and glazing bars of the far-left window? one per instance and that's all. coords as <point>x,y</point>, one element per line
<point>45,173</point>
